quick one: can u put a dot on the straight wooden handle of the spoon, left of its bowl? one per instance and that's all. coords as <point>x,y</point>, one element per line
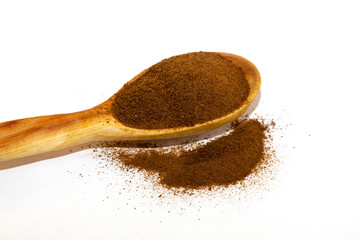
<point>29,136</point>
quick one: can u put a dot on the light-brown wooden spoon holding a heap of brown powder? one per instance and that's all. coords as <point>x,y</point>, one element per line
<point>26,137</point>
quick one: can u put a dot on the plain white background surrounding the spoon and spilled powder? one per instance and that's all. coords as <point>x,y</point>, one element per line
<point>65,56</point>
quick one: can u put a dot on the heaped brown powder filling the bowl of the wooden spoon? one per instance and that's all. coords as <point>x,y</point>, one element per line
<point>182,91</point>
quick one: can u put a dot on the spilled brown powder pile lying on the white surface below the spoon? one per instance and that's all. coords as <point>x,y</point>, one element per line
<point>222,161</point>
